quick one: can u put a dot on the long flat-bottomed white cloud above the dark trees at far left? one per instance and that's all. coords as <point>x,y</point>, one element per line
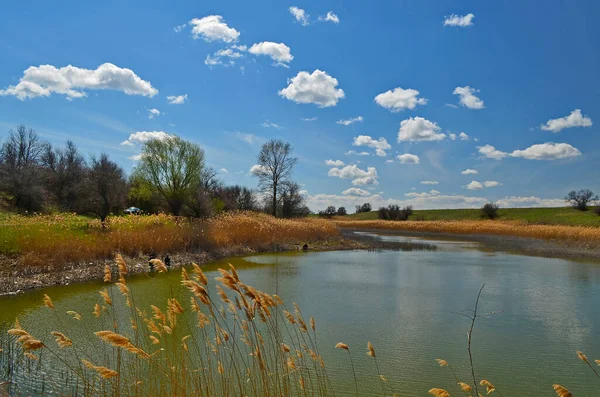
<point>71,81</point>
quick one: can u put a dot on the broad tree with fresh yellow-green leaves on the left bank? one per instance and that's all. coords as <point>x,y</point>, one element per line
<point>173,168</point>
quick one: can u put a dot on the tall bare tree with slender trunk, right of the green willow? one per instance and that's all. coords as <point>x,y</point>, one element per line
<point>275,166</point>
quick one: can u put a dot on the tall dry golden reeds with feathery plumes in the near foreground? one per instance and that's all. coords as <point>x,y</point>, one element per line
<point>237,341</point>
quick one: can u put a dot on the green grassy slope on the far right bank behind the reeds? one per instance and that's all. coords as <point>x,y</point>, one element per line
<point>550,216</point>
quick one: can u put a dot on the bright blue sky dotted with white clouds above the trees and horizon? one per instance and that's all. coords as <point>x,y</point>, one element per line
<point>520,81</point>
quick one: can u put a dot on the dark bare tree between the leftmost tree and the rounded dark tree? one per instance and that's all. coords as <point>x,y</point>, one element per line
<point>64,175</point>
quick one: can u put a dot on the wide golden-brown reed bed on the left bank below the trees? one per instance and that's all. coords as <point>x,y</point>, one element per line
<point>53,241</point>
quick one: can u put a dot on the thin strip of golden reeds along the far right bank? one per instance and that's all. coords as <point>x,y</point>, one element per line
<point>585,234</point>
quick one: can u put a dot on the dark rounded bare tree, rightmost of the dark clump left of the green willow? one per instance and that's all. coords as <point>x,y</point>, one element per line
<point>106,187</point>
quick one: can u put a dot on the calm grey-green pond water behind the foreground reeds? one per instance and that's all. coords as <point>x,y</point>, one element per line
<point>405,303</point>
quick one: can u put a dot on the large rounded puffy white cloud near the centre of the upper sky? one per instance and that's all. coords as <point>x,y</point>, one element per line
<point>318,88</point>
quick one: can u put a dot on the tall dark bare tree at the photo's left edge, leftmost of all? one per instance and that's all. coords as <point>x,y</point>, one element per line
<point>20,171</point>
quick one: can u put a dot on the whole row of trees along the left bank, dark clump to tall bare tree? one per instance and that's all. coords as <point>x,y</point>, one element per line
<point>171,176</point>
